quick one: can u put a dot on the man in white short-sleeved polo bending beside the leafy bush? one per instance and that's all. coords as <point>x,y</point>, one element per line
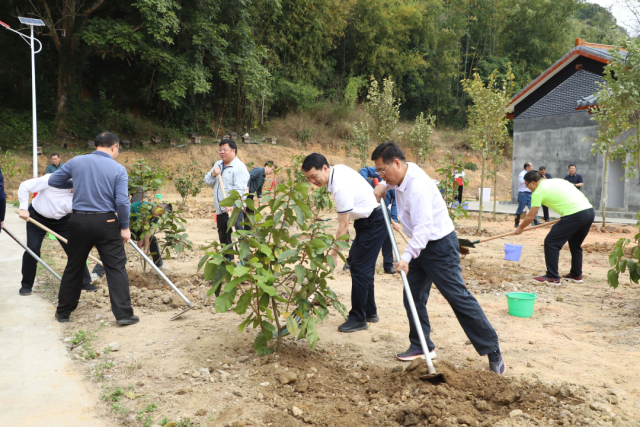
<point>353,199</point>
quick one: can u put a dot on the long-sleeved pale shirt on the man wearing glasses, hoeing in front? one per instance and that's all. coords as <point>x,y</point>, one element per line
<point>421,211</point>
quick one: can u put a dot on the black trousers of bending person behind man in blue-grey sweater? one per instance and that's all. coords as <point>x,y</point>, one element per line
<point>35,235</point>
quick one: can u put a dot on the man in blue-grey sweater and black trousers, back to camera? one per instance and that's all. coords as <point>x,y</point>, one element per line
<point>99,192</point>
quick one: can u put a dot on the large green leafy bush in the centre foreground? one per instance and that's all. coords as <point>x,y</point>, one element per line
<point>286,266</point>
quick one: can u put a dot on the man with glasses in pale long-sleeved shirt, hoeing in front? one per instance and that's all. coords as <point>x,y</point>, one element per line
<point>432,255</point>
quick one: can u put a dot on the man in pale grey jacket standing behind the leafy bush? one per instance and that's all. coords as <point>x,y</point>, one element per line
<point>235,176</point>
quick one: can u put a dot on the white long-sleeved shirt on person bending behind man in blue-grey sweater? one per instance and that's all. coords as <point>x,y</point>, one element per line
<point>52,203</point>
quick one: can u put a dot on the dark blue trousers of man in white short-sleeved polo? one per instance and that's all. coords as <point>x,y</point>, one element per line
<point>370,235</point>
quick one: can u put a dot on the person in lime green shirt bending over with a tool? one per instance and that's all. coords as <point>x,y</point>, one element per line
<point>577,216</point>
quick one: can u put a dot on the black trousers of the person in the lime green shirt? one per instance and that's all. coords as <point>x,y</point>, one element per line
<point>573,229</point>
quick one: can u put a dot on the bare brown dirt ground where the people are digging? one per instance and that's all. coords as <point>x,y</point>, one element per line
<point>575,362</point>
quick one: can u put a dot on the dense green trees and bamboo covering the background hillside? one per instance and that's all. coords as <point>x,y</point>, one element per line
<point>212,66</point>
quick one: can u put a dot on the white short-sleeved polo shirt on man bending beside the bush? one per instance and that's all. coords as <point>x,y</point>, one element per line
<point>351,192</point>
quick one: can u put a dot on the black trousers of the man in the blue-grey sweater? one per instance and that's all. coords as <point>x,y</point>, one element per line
<point>103,232</point>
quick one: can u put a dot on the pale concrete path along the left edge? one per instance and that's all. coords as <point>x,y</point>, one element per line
<point>39,385</point>
